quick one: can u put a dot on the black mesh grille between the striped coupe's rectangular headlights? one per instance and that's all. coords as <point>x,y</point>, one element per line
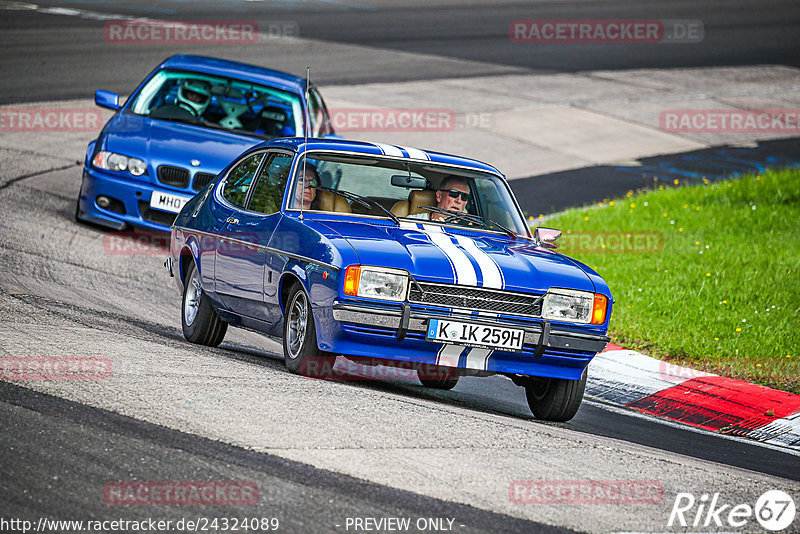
<point>475,298</point>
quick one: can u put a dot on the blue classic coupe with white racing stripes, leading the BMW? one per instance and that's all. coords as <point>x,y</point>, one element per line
<point>390,255</point>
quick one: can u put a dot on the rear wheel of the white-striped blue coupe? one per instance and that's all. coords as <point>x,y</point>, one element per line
<point>201,324</point>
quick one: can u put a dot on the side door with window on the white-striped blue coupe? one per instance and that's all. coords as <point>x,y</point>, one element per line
<point>244,256</point>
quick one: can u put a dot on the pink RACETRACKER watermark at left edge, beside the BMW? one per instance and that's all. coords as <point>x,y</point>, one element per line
<point>50,119</point>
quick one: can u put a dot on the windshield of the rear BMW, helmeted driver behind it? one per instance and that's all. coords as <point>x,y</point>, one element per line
<point>218,102</point>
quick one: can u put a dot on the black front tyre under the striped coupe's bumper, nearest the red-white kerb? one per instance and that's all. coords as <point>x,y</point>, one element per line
<point>555,399</point>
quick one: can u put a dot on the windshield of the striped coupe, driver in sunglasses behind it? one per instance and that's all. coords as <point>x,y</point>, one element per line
<point>412,191</point>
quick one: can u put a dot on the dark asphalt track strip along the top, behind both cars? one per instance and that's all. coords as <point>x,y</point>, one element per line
<point>56,56</point>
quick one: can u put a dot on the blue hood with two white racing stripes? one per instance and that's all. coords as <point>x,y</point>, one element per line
<point>454,255</point>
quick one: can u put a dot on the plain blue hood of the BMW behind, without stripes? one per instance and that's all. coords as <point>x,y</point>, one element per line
<point>161,142</point>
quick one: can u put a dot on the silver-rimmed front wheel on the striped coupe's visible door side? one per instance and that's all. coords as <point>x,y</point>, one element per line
<point>300,338</point>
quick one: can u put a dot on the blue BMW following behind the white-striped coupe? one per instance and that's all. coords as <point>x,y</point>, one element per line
<point>188,119</point>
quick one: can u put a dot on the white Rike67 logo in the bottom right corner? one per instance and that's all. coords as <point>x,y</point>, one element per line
<point>774,510</point>
